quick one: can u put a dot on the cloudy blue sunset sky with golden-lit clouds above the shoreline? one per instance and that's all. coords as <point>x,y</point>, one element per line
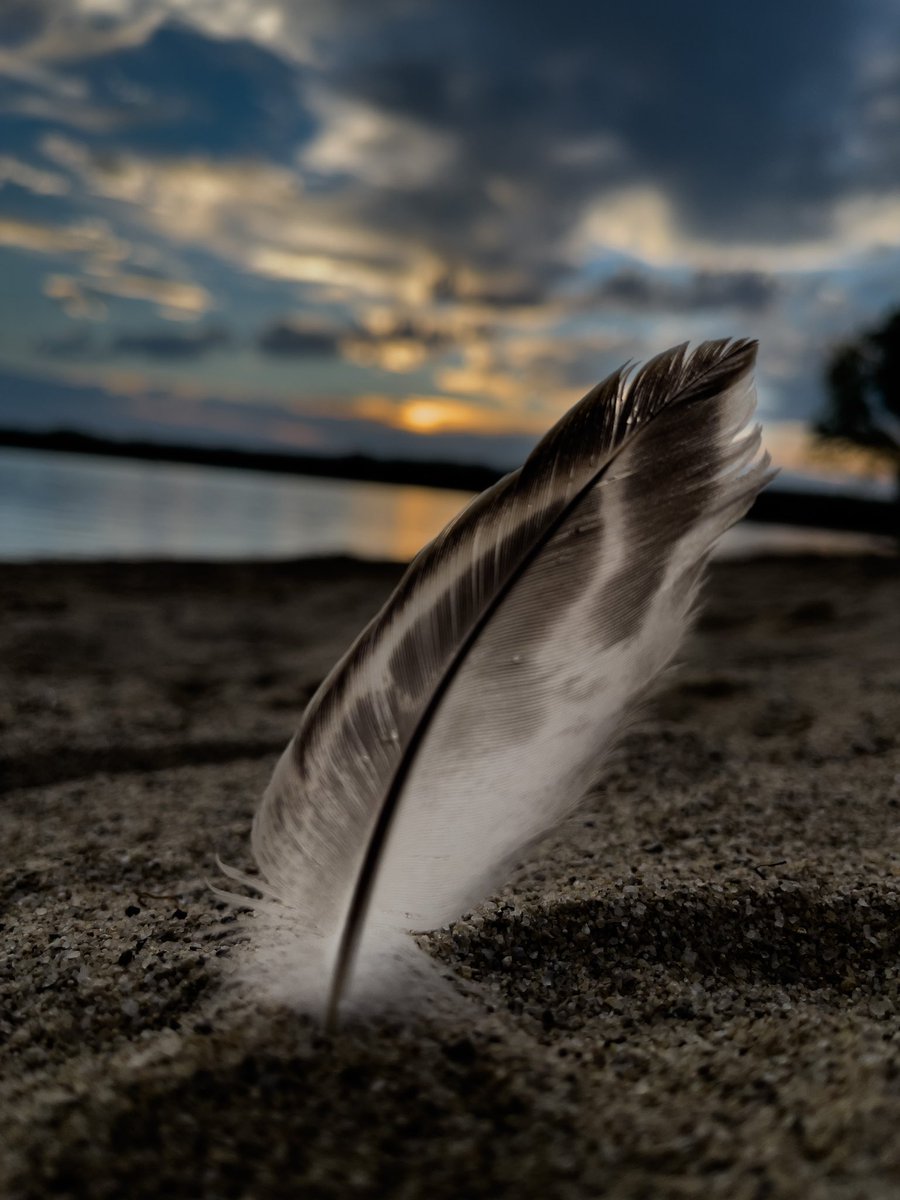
<point>424,230</point>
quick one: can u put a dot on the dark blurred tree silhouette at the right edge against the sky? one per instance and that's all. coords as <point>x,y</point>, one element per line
<point>863,407</point>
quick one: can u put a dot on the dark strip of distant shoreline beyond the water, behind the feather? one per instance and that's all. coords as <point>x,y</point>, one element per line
<point>775,507</point>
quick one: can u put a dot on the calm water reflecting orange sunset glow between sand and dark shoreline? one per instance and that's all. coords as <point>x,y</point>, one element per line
<point>56,506</point>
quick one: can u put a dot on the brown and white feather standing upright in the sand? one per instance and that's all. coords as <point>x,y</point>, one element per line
<point>476,710</point>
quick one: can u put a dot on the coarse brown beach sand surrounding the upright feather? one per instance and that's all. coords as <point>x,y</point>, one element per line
<point>692,991</point>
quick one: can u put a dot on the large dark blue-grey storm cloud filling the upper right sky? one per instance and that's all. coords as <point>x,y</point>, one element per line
<point>752,124</point>
